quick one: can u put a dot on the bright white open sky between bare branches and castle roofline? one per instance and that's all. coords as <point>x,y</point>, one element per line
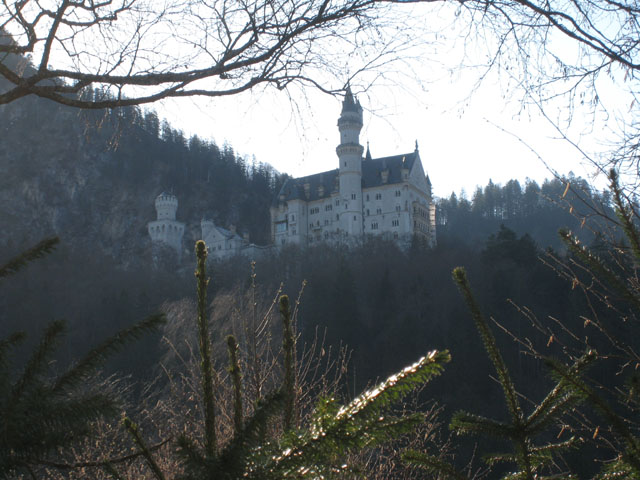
<point>466,136</point>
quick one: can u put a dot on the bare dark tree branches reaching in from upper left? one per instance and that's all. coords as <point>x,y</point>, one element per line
<point>110,53</point>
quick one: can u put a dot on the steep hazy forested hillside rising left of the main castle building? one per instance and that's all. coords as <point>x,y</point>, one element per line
<point>92,177</point>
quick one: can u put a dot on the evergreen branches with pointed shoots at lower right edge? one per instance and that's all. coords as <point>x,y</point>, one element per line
<point>611,410</point>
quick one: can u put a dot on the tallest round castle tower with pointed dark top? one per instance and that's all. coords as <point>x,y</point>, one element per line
<point>350,169</point>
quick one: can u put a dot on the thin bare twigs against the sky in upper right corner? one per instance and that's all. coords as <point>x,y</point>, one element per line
<point>569,60</point>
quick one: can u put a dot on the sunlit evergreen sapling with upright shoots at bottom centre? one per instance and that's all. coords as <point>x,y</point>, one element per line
<point>315,450</point>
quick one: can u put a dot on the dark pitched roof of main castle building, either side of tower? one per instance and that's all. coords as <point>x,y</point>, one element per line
<point>294,188</point>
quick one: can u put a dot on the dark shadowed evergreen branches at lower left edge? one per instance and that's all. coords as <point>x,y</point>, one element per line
<point>42,412</point>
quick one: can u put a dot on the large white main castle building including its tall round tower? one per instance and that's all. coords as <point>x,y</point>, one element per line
<point>389,196</point>
